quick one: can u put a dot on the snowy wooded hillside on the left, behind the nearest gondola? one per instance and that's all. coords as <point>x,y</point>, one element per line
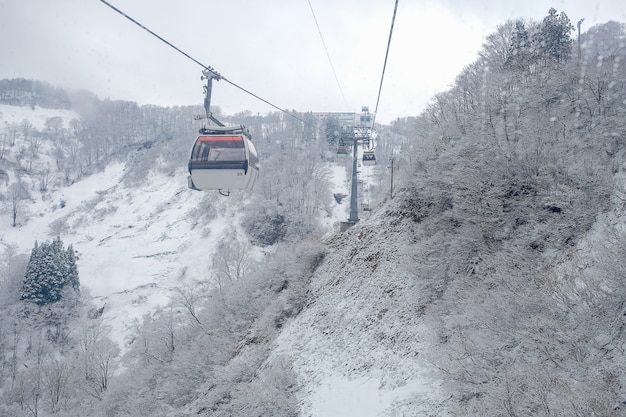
<point>109,178</point>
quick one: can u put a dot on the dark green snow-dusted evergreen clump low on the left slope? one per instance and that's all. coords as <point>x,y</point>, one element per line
<point>50,269</point>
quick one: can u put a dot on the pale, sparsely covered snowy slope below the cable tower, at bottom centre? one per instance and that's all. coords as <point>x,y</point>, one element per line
<point>356,348</point>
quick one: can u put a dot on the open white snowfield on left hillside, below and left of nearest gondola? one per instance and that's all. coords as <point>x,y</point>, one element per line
<point>134,245</point>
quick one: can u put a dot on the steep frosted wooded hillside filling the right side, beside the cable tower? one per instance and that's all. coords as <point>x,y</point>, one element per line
<point>493,284</point>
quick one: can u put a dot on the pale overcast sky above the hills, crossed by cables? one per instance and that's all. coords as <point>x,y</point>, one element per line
<point>271,48</point>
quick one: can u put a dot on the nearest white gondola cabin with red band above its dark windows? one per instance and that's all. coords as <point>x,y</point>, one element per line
<point>223,159</point>
